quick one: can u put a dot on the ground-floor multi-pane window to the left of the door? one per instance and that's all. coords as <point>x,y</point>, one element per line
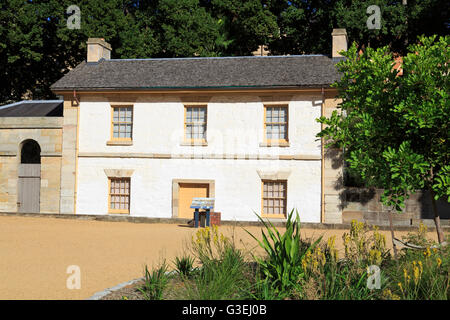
<point>119,195</point>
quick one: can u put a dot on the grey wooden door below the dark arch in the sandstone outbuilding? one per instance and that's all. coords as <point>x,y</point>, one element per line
<point>29,188</point>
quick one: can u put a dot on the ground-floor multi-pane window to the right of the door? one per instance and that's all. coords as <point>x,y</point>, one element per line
<point>274,198</point>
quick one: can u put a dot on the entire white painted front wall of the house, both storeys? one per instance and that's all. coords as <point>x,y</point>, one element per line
<point>235,125</point>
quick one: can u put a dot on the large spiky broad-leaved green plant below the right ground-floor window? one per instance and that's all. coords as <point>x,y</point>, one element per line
<point>284,252</point>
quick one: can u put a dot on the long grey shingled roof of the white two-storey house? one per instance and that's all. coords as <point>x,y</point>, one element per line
<point>223,72</point>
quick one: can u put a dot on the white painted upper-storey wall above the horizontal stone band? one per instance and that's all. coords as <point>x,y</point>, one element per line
<point>235,125</point>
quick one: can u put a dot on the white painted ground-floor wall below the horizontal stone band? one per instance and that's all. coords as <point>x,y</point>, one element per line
<point>237,185</point>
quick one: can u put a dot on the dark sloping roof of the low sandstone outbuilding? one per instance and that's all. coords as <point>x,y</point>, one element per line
<point>33,108</point>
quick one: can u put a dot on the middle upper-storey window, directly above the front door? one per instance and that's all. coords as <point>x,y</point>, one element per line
<point>195,123</point>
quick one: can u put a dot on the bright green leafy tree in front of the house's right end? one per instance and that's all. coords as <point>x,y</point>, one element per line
<point>394,129</point>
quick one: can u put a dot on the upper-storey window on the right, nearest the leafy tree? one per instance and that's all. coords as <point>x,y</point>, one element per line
<point>276,123</point>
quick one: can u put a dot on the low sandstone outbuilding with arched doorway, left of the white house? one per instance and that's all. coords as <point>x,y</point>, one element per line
<point>30,156</point>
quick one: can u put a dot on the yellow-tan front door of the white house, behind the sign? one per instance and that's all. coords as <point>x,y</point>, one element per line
<point>186,193</point>
